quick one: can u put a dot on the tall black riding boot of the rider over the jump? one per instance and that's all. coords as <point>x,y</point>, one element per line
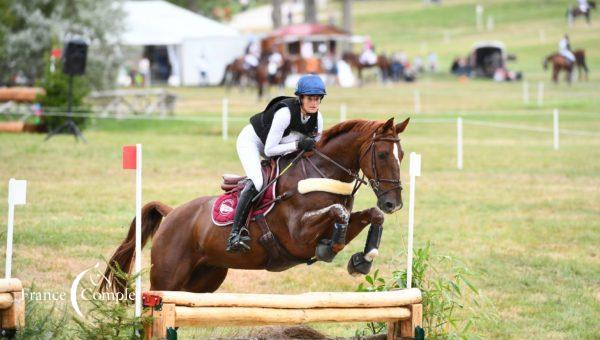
<point>239,237</point>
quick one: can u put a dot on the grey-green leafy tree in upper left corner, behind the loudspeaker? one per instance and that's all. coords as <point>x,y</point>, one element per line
<point>29,29</point>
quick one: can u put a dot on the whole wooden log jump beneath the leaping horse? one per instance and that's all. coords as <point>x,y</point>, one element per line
<point>401,309</point>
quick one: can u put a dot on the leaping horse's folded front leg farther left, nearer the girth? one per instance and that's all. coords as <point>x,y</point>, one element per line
<point>314,222</point>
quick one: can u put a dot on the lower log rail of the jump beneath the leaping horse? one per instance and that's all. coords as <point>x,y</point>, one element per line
<point>247,316</point>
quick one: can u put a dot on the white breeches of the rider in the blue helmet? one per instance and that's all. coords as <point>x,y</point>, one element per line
<point>249,148</point>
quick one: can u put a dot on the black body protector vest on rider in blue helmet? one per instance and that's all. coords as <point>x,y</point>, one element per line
<point>261,122</point>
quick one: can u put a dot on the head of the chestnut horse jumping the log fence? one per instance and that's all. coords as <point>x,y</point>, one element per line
<point>380,162</point>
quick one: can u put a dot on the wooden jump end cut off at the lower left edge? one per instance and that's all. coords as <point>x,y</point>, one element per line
<point>12,306</point>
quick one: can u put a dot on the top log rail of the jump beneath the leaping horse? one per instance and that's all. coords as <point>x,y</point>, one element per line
<point>307,300</point>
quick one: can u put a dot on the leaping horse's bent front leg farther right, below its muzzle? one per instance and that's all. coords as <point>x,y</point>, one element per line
<point>360,263</point>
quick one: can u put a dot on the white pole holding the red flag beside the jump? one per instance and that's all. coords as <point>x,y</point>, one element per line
<point>138,230</point>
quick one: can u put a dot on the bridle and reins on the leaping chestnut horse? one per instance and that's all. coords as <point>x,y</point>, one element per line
<point>376,181</point>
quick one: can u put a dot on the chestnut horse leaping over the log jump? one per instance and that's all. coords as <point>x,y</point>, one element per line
<point>188,250</point>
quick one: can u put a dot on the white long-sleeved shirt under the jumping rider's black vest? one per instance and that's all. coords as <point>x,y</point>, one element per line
<point>276,144</point>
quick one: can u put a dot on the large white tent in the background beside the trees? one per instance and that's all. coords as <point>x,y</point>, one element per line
<point>193,42</point>
